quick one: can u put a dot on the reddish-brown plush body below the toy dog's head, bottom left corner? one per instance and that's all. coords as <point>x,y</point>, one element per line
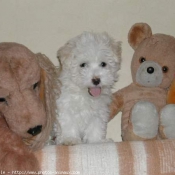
<point>14,155</point>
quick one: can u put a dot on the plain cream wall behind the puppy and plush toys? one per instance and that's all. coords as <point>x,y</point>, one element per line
<point>45,25</point>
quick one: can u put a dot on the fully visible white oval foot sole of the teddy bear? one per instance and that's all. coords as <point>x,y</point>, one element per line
<point>145,119</point>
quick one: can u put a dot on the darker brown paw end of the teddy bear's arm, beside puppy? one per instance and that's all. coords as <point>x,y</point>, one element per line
<point>116,104</point>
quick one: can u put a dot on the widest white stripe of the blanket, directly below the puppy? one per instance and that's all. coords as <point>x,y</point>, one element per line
<point>95,159</point>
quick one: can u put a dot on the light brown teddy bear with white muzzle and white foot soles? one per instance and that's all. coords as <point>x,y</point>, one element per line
<point>145,114</point>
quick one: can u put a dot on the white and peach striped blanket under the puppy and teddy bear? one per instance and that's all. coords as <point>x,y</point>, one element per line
<point>123,158</point>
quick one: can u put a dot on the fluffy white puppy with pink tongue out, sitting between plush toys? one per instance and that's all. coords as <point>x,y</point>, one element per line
<point>89,63</point>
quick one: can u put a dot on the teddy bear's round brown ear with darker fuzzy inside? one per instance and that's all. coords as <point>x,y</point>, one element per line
<point>138,33</point>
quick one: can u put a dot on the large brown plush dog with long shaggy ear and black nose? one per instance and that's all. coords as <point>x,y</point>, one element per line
<point>28,92</point>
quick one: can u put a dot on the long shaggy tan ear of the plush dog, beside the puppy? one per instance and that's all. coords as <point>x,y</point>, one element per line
<point>49,93</point>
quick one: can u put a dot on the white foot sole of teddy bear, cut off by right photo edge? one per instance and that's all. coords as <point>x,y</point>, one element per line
<point>167,121</point>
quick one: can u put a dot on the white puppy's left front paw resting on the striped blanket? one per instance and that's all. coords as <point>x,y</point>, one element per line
<point>68,141</point>
